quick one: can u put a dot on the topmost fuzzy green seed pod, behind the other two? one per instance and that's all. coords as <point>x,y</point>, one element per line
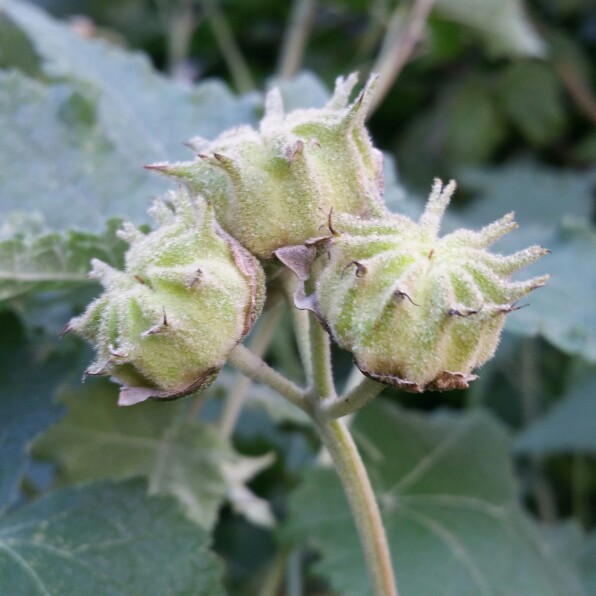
<point>276,186</point>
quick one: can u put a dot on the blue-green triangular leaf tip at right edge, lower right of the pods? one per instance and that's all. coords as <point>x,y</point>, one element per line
<point>567,427</point>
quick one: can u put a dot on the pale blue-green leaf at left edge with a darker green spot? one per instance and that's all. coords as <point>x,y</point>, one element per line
<point>67,168</point>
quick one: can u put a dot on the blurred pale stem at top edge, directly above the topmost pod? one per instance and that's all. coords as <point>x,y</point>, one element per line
<point>295,38</point>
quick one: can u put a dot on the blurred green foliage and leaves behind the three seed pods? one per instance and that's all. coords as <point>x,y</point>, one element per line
<point>489,491</point>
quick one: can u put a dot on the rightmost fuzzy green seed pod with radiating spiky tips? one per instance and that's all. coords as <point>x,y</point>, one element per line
<point>419,311</point>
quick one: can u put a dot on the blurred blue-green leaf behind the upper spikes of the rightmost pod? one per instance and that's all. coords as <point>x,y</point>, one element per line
<point>538,194</point>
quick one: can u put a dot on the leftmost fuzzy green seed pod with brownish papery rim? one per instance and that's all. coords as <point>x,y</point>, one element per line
<point>164,327</point>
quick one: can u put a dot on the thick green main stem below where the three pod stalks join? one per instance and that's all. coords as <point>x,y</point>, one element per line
<point>363,504</point>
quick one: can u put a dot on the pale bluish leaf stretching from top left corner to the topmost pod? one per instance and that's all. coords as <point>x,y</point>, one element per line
<point>144,114</point>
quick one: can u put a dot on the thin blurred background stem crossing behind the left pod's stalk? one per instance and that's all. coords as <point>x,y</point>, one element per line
<point>258,344</point>
